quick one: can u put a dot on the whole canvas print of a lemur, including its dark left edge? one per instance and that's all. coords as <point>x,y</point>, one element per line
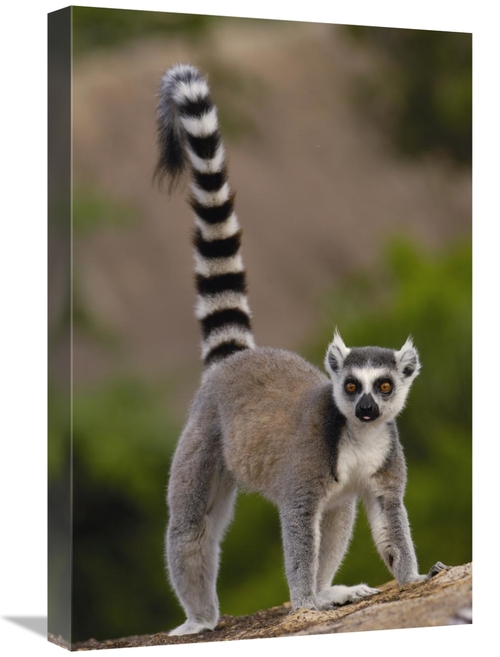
<point>260,328</point>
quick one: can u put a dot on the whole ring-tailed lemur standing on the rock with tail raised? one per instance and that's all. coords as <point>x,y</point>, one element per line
<point>267,420</point>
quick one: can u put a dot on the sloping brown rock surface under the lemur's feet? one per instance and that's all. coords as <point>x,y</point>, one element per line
<point>446,599</point>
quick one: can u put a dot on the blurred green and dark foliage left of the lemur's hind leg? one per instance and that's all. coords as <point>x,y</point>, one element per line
<point>123,436</point>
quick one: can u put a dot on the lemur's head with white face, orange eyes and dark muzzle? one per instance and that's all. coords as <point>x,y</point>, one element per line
<point>371,383</point>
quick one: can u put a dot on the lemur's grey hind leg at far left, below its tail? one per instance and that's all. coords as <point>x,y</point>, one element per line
<point>201,501</point>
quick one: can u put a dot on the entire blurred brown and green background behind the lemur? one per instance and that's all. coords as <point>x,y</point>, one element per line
<point>350,151</point>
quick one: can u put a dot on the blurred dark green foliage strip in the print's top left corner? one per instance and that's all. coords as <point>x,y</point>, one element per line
<point>95,27</point>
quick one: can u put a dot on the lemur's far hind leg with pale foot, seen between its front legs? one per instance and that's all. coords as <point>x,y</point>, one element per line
<point>336,530</point>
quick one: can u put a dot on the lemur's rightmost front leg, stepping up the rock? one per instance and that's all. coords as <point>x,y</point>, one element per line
<point>391,533</point>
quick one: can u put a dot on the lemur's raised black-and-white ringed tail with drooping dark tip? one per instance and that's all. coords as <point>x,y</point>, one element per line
<point>189,138</point>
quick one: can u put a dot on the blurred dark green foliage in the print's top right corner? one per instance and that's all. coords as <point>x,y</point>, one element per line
<point>420,91</point>
